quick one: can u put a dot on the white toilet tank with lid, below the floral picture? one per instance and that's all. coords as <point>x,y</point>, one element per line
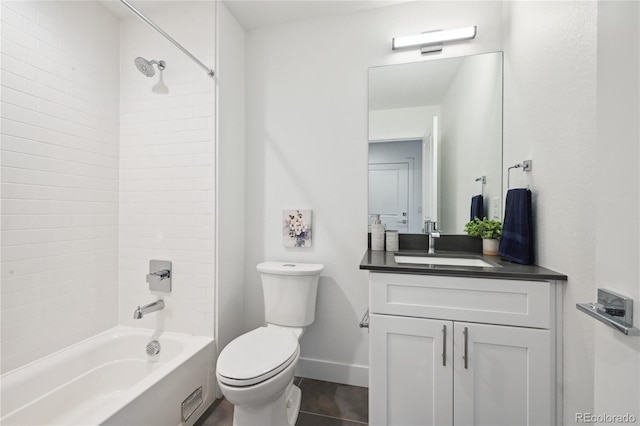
<point>290,292</point>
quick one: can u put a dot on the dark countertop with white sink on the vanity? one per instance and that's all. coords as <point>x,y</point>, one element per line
<point>384,261</point>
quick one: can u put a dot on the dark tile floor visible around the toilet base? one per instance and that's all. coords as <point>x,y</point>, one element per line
<point>323,404</point>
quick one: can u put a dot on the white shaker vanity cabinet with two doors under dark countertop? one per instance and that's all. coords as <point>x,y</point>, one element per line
<point>462,351</point>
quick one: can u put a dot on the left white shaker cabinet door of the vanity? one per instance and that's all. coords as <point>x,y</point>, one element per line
<point>411,371</point>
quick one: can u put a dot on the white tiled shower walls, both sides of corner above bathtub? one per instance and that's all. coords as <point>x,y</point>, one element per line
<point>101,173</point>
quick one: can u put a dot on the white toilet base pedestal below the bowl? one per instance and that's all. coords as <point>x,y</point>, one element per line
<point>281,411</point>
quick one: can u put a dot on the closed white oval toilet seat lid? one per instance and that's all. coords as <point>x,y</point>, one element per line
<point>257,356</point>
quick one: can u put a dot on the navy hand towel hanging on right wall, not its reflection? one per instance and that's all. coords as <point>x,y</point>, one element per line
<point>516,243</point>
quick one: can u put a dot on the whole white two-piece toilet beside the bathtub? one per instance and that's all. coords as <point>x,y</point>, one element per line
<point>255,371</point>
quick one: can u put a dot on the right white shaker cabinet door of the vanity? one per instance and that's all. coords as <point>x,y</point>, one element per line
<point>505,377</point>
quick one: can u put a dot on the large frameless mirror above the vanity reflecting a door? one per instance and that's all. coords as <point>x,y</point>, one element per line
<point>435,142</point>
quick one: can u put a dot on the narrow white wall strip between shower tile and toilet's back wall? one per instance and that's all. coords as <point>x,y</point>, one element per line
<point>231,171</point>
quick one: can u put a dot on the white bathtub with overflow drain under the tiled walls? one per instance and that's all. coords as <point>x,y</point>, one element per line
<point>109,379</point>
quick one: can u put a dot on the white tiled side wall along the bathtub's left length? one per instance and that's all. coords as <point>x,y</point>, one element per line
<point>59,176</point>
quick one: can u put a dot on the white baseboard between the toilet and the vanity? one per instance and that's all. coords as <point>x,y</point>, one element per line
<point>355,375</point>
